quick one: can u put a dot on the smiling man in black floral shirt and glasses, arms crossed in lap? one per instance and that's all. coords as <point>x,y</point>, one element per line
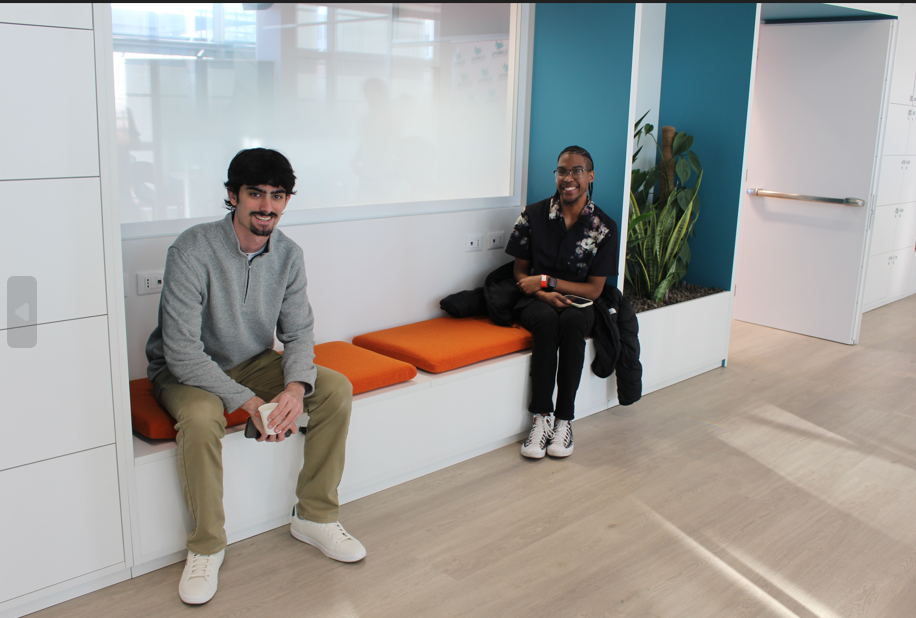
<point>562,245</point>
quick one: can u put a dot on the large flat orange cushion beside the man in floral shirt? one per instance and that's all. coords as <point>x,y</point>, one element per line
<point>446,343</point>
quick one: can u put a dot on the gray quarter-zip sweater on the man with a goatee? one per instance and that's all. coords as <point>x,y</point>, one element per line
<point>218,310</point>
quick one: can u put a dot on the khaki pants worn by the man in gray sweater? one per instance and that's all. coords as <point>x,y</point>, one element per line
<point>202,425</point>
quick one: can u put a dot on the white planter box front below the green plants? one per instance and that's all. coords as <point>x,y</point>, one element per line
<point>683,340</point>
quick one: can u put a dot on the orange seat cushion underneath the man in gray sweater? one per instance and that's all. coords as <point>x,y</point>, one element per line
<point>366,371</point>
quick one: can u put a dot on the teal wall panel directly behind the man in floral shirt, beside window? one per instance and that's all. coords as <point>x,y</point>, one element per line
<point>580,94</point>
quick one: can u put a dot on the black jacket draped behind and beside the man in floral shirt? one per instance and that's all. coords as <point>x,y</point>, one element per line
<point>616,331</point>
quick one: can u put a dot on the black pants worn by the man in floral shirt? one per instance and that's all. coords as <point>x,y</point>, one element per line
<point>564,331</point>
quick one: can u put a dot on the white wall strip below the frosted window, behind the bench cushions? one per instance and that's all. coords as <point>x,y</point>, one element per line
<point>363,275</point>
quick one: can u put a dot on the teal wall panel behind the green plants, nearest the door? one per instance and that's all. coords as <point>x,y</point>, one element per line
<point>705,82</point>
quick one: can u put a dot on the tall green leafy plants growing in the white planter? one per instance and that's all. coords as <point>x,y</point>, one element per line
<point>662,220</point>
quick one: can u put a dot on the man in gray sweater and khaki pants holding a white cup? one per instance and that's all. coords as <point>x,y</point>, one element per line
<point>228,286</point>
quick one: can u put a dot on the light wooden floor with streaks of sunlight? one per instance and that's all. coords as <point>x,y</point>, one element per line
<point>782,485</point>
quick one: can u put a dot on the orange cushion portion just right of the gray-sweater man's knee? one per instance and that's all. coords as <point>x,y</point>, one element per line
<point>366,370</point>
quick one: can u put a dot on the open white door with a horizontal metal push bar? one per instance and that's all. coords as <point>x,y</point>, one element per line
<point>815,125</point>
